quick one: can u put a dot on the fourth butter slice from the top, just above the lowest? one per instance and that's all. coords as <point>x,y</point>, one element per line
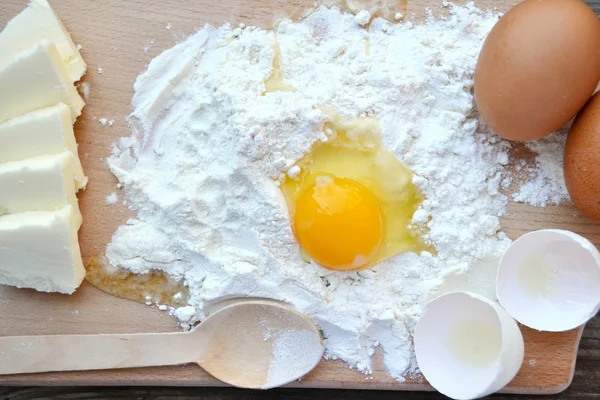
<point>44,183</point>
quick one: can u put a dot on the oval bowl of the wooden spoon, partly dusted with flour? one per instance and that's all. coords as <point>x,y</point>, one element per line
<point>258,344</point>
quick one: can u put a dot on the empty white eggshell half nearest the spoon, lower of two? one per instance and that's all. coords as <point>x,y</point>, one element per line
<point>467,346</point>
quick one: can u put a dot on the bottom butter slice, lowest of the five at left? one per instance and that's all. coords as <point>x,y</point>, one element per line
<point>40,250</point>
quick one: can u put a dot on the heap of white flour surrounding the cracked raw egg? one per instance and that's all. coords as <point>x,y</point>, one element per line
<point>208,143</point>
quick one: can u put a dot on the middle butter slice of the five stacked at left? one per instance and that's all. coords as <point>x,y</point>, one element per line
<point>46,131</point>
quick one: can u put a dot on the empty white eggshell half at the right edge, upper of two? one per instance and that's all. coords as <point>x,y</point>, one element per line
<point>549,280</point>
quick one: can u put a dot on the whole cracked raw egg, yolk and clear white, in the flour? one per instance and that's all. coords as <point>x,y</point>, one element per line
<point>351,201</point>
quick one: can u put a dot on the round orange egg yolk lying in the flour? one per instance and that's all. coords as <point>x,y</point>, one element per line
<point>339,223</point>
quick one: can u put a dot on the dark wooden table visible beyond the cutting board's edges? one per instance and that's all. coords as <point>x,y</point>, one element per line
<point>586,382</point>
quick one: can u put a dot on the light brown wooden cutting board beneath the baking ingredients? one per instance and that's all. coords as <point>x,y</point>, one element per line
<point>119,38</point>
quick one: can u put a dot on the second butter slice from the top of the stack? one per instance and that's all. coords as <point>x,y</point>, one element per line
<point>37,79</point>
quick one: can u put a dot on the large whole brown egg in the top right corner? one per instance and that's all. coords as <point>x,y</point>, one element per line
<point>538,67</point>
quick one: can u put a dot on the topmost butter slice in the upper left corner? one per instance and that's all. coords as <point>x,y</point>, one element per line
<point>36,23</point>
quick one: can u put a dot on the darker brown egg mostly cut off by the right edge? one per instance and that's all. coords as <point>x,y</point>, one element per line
<point>582,159</point>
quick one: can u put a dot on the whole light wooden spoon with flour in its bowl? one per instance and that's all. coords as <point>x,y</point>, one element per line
<point>252,344</point>
